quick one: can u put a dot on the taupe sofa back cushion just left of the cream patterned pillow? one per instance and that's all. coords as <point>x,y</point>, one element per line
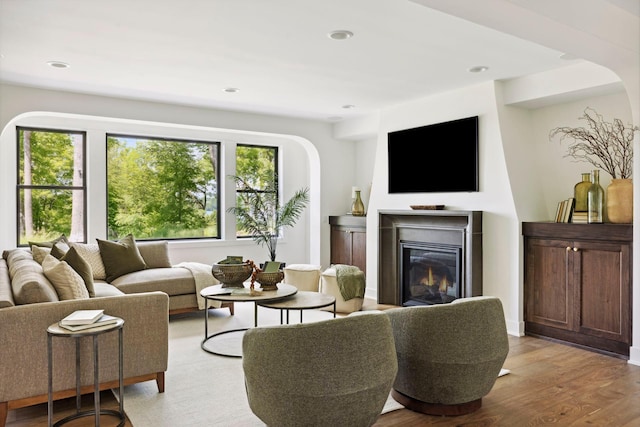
<point>28,282</point>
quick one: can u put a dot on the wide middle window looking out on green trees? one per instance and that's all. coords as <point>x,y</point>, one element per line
<point>162,188</point>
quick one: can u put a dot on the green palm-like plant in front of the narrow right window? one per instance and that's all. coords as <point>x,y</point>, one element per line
<point>259,213</point>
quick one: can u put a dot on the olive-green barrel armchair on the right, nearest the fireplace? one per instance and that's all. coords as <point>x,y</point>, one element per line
<point>449,355</point>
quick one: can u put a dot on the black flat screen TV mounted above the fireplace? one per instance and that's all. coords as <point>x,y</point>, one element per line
<point>437,158</point>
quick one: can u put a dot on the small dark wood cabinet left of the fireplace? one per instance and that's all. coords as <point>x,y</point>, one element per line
<point>349,240</point>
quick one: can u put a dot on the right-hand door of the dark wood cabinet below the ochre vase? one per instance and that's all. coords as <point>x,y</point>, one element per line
<point>604,281</point>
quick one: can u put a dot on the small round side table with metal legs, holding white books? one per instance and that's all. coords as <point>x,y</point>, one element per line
<point>55,330</point>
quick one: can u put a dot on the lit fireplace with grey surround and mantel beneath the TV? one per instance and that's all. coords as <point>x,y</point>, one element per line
<point>429,257</point>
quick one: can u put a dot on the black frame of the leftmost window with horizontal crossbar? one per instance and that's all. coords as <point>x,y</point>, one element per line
<point>20,187</point>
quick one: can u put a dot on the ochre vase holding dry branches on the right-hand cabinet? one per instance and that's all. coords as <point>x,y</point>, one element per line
<point>607,146</point>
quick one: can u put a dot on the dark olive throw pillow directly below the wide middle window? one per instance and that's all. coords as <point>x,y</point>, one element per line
<point>120,257</point>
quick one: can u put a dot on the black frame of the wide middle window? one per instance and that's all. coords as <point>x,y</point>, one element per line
<point>219,160</point>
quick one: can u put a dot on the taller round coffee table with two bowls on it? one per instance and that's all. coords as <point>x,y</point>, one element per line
<point>218,293</point>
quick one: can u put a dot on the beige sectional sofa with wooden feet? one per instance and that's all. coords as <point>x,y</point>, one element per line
<point>29,303</point>
